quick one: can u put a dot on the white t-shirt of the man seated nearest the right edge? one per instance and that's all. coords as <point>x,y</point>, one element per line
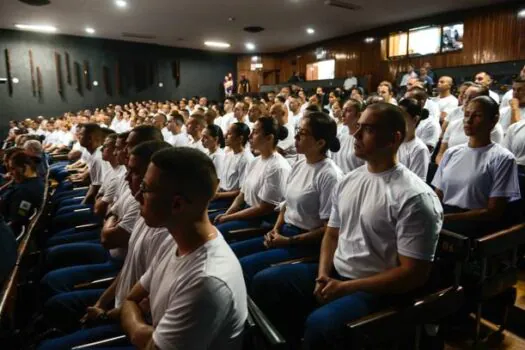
<point>468,177</point>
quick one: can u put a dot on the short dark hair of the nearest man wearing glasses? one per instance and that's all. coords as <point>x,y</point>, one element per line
<point>199,177</point>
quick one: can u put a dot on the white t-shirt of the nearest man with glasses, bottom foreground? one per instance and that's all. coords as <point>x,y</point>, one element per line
<point>198,301</point>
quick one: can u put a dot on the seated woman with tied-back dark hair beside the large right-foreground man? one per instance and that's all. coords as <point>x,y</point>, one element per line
<point>307,201</point>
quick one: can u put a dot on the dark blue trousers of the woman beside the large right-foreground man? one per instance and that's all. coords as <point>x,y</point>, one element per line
<point>255,257</point>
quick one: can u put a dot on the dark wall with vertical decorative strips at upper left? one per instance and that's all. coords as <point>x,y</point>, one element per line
<point>142,67</point>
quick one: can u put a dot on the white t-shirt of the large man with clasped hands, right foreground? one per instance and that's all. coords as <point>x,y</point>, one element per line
<point>381,216</point>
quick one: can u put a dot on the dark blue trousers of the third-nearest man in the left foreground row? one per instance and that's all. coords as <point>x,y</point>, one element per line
<point>64,279</point>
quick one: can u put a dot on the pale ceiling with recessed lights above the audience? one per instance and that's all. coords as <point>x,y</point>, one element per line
<point>195,21</point>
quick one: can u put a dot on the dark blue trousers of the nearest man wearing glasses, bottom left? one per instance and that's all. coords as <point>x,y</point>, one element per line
<point>82,337</point>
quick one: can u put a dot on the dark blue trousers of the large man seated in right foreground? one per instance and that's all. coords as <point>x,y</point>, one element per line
<point>285,295</point>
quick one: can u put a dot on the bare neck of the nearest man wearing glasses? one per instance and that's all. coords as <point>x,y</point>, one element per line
<point>190,236</point>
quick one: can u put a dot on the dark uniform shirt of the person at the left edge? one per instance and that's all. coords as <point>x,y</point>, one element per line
<point>18,201</point>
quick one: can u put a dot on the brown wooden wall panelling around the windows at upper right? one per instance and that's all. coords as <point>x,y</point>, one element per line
<point>493,34</point>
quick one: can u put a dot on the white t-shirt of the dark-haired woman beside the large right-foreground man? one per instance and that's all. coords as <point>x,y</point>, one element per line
<point>308,193</point>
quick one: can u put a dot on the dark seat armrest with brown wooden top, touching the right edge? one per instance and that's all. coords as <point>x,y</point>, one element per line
<point>500,242</point>
